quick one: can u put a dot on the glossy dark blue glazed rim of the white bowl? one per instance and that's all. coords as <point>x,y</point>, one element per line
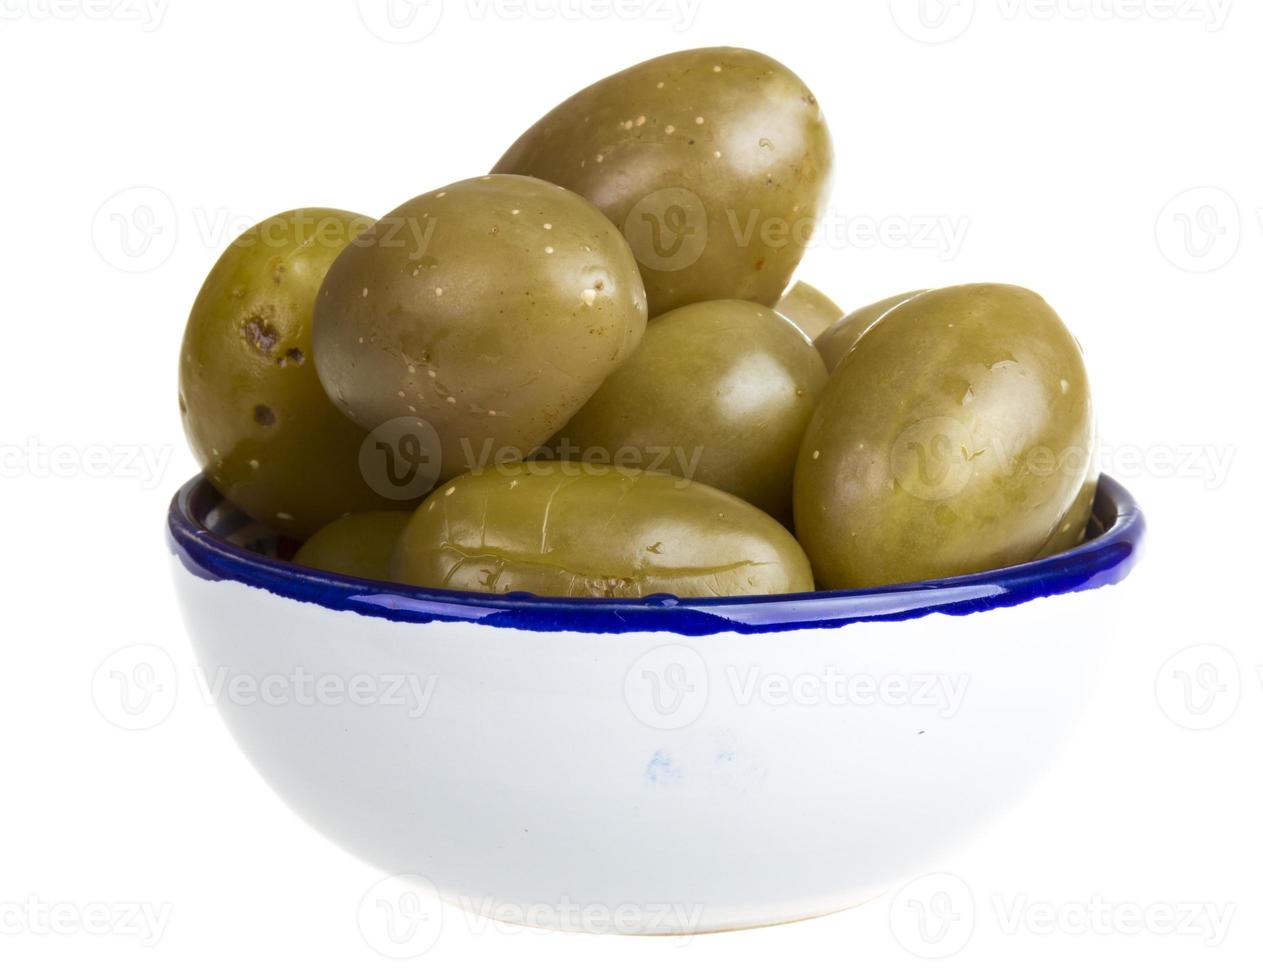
<point>1104,560</point>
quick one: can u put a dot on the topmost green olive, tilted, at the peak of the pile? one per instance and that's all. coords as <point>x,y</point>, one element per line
<point>714,162</point>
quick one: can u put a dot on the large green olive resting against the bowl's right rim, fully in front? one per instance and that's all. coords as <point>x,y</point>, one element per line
<point>954,439</point>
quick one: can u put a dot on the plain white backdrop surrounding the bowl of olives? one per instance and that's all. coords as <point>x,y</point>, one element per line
<point>1103,152</point>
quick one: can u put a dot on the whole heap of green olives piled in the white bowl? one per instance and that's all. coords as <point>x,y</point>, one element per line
<point>583,374</point>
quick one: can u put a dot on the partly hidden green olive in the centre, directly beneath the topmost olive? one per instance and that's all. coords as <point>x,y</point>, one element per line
<point>718,392</point>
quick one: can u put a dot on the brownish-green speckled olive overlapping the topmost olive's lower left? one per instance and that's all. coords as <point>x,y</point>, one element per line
<point>493,309</point>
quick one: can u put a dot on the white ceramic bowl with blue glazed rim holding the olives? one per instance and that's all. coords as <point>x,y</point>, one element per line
<point>659,766</point>
